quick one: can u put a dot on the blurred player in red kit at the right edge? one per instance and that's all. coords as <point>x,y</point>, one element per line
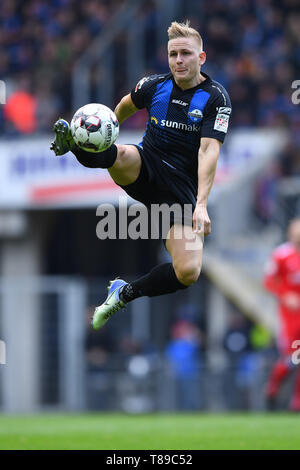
<point>282,278</point>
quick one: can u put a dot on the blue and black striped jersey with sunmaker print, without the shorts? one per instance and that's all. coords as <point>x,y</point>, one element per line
<point>178,119</point>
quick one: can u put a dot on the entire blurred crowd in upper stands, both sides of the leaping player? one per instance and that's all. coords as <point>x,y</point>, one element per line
<point>253,49</point>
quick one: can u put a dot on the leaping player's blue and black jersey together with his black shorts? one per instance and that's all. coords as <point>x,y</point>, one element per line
<point>178,119</point>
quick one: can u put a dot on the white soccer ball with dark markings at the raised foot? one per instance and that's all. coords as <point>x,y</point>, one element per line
<point>94,127</point>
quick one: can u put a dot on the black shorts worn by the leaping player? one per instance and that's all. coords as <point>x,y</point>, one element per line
<point>157,184</point>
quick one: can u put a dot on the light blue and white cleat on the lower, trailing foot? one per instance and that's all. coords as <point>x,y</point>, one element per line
<point>112,304</point>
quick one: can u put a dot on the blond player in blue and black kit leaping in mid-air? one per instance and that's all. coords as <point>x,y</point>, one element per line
<point>174,164</point>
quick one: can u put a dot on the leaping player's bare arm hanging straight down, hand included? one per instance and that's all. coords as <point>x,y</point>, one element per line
<point>207,164</point>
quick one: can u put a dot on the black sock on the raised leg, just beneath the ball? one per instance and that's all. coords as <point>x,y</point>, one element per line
<point>104,159</point>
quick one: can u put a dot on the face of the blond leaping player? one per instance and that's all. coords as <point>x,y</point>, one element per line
<point>185,60</point>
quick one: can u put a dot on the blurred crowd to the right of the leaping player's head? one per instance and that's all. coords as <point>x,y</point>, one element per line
<point>254,50</point>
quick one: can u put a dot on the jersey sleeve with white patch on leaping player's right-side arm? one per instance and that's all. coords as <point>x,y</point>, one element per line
<point>216,115</point>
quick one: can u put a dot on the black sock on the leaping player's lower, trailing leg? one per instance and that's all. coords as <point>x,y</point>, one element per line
<point>161,280</point>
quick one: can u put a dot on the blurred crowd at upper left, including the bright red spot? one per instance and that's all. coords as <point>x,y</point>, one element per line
<point>40,40</point>
